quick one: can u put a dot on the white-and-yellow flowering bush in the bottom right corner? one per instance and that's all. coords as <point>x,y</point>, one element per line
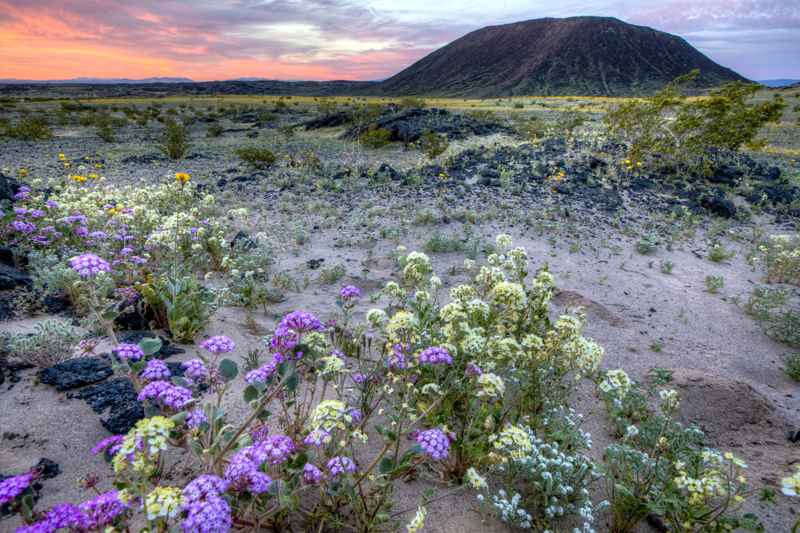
<point>664,468</point>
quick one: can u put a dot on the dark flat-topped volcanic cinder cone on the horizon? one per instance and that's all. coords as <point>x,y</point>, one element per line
<point>570,56</point>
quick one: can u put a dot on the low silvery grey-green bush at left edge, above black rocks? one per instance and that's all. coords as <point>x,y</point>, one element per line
<point>51,342</point>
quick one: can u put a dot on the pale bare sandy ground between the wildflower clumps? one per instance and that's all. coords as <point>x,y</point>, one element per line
<point>727,370</point>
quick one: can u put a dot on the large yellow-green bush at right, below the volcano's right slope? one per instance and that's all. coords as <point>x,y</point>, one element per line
<point>671,129</point>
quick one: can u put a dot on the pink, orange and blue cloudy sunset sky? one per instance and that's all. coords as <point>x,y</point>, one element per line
<point>346,39</point>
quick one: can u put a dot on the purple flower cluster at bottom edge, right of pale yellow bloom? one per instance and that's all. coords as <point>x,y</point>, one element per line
<point>206,510</point>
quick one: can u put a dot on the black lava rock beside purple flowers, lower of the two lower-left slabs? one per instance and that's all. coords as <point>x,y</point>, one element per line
<point>118,396</point>
